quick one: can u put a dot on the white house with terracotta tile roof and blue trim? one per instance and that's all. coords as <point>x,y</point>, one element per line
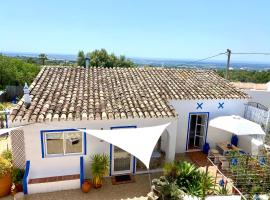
<point>64,98</point>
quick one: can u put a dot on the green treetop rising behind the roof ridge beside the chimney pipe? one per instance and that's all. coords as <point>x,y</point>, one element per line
<point>101,58</point>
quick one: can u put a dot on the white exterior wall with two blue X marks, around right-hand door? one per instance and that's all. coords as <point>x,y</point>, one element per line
<point>183,108</point>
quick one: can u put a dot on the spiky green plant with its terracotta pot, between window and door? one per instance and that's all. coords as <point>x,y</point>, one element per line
<point>99,167</point>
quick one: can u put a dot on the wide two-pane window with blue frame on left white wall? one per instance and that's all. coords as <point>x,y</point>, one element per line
<point>62,142</point>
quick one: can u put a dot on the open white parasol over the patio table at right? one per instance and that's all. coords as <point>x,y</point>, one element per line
<point>236,125</point>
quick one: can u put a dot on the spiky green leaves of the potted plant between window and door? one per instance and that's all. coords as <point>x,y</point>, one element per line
<point>99,165</point>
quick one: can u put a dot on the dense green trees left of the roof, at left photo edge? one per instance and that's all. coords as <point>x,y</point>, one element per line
<point>16,72</point>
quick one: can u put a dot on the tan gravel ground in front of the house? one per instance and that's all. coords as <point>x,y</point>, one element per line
<point>137,191</point>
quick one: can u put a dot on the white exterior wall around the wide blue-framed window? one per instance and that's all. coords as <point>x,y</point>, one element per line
<point>66,165</point>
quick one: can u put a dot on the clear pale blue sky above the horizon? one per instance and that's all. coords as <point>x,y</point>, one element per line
<point>137,28</point>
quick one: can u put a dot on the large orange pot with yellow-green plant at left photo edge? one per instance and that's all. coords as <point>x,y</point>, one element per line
<point>5,177</point>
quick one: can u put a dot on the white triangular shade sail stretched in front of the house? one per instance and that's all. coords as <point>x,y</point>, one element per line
<point>140,142</point>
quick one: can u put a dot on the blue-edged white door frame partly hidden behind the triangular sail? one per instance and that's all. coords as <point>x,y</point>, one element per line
<point>132,158</point>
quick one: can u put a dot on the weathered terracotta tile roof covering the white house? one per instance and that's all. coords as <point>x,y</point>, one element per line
<point>65,93</point>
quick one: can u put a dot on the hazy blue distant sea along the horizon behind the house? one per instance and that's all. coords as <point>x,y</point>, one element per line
<point>163,62</point>
